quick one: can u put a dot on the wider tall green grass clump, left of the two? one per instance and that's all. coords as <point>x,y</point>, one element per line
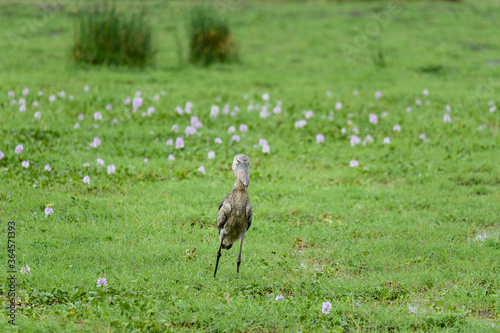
<point>106,36</point>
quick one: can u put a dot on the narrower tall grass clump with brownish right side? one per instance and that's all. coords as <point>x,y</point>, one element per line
<point>210,38</point>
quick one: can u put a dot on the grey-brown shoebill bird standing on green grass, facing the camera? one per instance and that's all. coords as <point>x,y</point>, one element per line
<point>235,211</point>
